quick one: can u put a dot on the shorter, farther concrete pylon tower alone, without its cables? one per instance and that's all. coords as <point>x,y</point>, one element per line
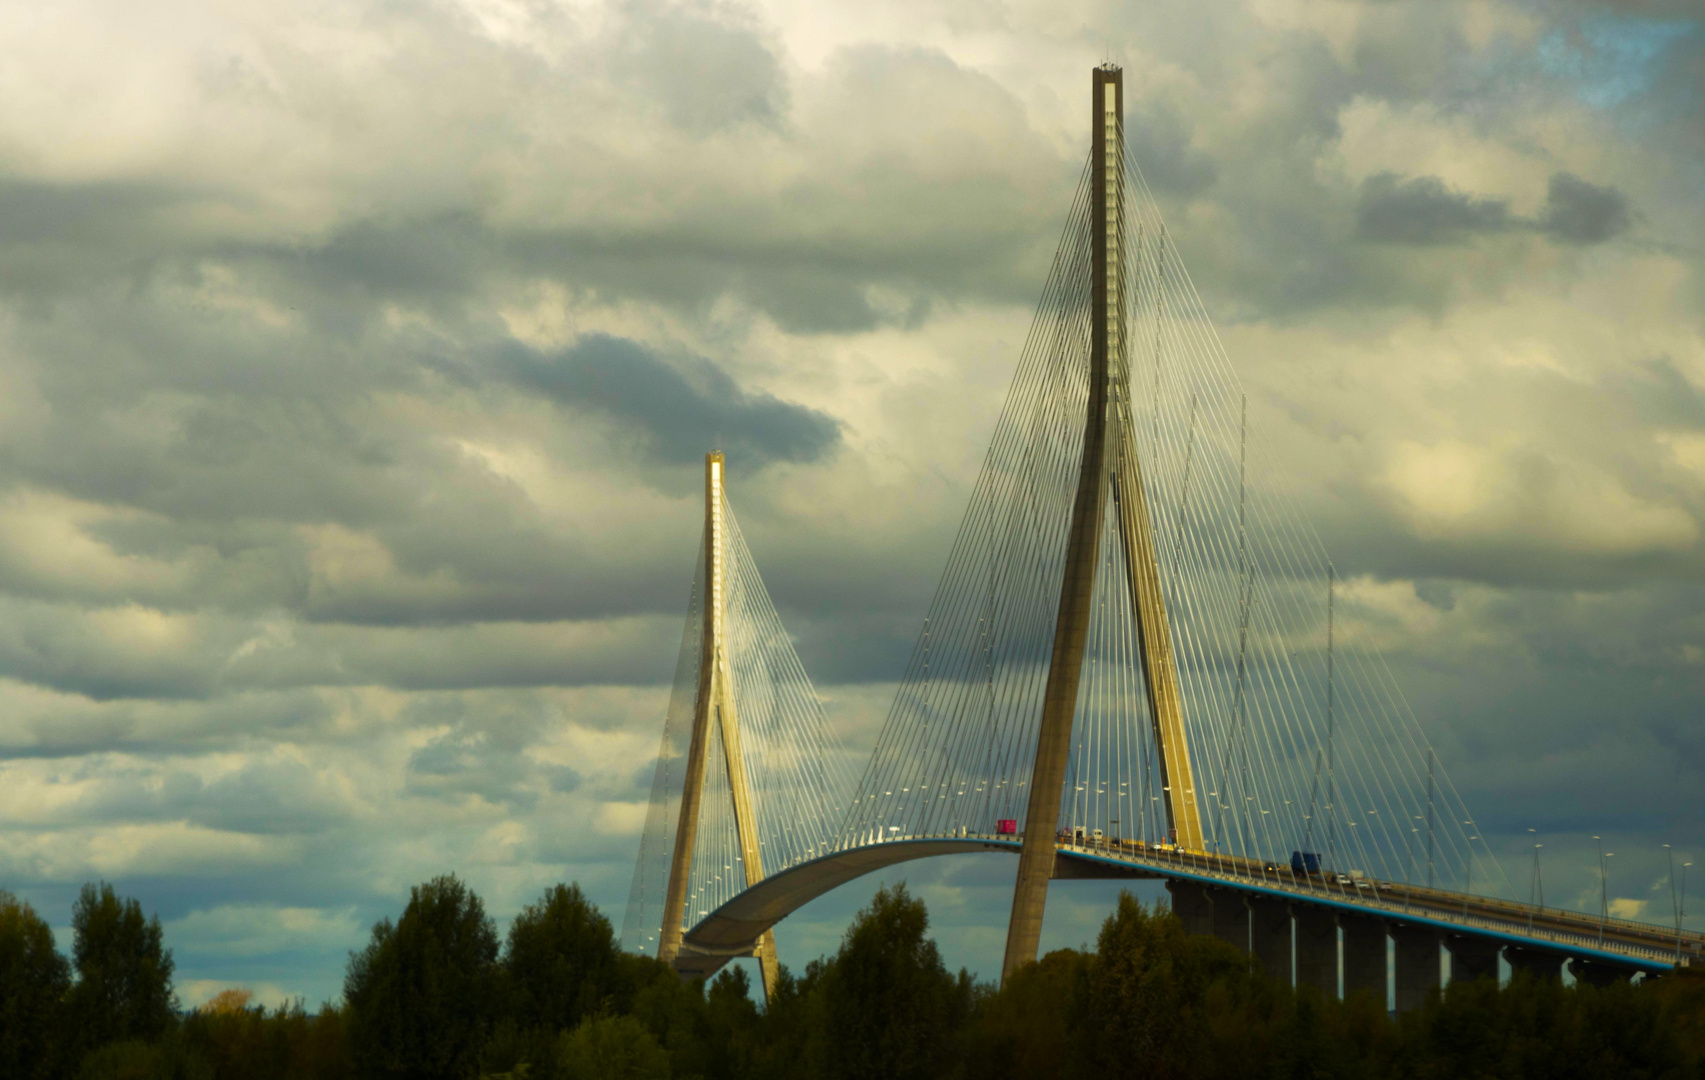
<point>715,705</point>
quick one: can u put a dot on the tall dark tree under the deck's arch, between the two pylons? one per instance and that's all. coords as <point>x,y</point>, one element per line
<point>893,1011</point>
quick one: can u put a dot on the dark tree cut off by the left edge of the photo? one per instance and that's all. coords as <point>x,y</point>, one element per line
<point>33,984</point>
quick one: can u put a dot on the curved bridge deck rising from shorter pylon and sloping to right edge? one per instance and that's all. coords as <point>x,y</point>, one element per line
<point>736,927</point>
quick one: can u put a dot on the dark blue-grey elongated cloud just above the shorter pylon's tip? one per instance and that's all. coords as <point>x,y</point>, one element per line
<point>673,412</point>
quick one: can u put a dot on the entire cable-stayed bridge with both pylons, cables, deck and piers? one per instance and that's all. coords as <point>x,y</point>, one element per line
<point>1138,663</point>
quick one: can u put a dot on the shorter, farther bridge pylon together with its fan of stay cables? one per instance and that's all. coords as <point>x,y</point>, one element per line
<point>748,772</point>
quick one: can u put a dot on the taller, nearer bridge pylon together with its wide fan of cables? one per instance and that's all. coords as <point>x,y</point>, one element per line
<point>1135,639</point>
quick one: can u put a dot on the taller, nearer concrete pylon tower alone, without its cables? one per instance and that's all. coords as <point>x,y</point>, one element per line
<point>1109,467</point>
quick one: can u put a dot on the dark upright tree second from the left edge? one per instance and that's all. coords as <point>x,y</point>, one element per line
<point>124,972</point>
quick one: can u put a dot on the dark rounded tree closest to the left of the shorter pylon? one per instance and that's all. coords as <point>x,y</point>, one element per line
<point>562,961</point>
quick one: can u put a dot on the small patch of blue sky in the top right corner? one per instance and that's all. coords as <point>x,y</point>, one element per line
<point>1612,59</point>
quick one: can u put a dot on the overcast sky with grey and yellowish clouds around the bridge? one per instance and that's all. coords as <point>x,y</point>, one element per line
<point>357,364</point>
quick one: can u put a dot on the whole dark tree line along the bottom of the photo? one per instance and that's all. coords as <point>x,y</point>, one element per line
<point>439,996</point>
